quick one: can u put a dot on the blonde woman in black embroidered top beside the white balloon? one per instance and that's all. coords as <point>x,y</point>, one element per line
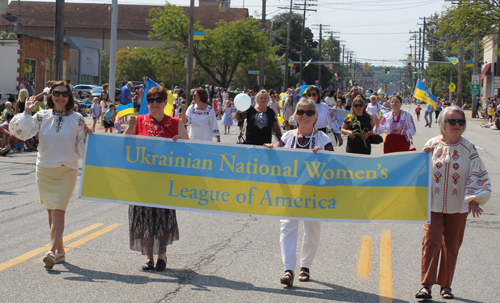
<point>262,121</point>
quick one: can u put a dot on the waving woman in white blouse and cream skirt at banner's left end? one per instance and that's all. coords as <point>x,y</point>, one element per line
<point>62,134</point>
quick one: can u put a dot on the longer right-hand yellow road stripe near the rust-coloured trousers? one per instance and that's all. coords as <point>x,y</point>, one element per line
<point>385,279</point>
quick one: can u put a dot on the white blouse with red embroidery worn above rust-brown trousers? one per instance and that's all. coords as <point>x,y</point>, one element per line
<point>458,176</point>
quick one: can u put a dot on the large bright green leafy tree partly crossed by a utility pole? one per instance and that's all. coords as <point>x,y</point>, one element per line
<point>223,49</point>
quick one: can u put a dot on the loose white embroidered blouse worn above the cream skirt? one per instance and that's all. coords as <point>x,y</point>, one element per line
<point>62,139</point>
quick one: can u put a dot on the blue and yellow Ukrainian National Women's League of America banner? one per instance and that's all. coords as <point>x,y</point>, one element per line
<point>256,181</point>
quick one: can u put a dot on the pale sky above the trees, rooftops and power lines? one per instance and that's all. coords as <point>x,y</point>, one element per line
<point>376,30</point>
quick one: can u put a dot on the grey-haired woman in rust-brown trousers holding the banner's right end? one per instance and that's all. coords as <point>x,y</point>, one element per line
<point>460,184</point>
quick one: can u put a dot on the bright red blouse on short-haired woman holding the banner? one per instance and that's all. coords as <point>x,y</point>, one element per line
<point>146,126</point>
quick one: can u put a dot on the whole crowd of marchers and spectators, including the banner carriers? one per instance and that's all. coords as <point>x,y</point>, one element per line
<point>51,123</point>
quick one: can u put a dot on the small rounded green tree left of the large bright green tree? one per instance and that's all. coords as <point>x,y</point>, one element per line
<point>134,64</point>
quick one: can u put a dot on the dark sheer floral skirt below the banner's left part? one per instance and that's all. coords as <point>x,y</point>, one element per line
<point>152,229</point>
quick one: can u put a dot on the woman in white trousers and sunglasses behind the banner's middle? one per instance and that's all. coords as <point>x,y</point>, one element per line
<point>306,136</point>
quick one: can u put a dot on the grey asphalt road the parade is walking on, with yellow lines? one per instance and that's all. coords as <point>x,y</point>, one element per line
<point>223,258</point>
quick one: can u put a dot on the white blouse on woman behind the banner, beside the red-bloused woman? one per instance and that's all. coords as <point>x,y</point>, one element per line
<point>203,123</point>
